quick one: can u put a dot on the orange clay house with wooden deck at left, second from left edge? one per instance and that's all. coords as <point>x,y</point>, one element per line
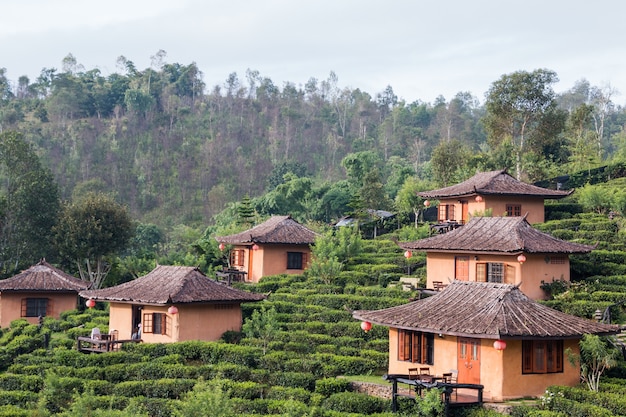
<point>173,304</point>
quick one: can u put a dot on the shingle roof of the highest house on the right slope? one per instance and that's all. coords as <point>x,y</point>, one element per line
<point>493,183</point>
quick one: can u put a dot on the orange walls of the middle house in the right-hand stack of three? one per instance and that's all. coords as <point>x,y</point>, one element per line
<point>537,268</point>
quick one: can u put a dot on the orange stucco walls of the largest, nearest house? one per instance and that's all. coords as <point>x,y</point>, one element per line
<point>500,371</point>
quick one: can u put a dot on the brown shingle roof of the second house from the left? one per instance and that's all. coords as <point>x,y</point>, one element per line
<point>172,284</point>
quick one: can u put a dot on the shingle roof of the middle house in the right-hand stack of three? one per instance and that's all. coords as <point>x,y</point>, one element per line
<point>497,234</point>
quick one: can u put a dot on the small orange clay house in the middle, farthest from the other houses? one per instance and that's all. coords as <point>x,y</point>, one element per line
<point>280,245</point>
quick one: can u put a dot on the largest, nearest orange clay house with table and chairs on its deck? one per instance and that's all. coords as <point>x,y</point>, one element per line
<point>488,334</point>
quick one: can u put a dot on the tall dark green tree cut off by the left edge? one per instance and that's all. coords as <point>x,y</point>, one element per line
<point>29,205</point>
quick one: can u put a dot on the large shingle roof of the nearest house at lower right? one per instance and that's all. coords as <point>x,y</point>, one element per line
<point>485,310</point>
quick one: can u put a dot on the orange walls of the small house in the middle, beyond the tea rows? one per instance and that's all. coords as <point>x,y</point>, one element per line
<point>270,260</point>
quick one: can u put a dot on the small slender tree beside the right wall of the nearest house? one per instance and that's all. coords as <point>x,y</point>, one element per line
<point>595,357</point>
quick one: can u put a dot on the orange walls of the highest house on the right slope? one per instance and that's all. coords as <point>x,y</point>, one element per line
<point>533,207</point>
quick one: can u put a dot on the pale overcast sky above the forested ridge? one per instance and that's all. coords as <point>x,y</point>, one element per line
<point>422,49</point>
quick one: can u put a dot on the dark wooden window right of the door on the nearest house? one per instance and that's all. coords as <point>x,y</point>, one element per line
<point>542,356</point>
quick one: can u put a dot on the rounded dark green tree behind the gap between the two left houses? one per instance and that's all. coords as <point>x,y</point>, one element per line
<point>90,231</point>
